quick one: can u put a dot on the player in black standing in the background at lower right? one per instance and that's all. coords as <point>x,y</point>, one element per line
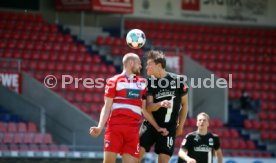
<point>198,146</point>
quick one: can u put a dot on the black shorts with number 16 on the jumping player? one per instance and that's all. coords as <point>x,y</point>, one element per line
<point>163,144</point>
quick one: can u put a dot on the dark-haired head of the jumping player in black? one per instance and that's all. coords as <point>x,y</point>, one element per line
<point>156,62</point>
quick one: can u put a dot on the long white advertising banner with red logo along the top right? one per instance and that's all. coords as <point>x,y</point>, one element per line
<point>245,12</point>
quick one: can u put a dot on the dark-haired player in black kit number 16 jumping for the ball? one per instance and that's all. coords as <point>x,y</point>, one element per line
<point>167,99</point>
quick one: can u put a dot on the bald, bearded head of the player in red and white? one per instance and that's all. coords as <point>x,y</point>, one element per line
<point>132,62</point>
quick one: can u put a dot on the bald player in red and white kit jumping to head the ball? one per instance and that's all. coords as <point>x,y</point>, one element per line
<point>123,109</point>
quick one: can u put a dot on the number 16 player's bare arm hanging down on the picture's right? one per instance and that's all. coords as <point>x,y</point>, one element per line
<point>182,115</point>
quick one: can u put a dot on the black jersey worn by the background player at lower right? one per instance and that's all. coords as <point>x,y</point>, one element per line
<point>200,147</point>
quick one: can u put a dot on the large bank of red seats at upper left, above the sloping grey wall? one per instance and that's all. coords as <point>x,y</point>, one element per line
<point>44,49</point>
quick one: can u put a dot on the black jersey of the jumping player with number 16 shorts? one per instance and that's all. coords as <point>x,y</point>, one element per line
<point>172,88</point>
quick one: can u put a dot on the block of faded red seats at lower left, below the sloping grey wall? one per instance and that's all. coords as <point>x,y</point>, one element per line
<point>24,136</point>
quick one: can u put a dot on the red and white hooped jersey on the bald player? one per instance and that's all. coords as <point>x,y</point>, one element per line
<point>127,94</point>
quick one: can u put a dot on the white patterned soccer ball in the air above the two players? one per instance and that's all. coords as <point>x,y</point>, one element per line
<point>136,39</point>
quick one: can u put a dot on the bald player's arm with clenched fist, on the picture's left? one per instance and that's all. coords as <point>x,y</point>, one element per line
<point>96,131</point>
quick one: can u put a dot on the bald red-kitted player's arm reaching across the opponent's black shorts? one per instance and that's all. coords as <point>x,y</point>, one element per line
<point>148,116</point>
